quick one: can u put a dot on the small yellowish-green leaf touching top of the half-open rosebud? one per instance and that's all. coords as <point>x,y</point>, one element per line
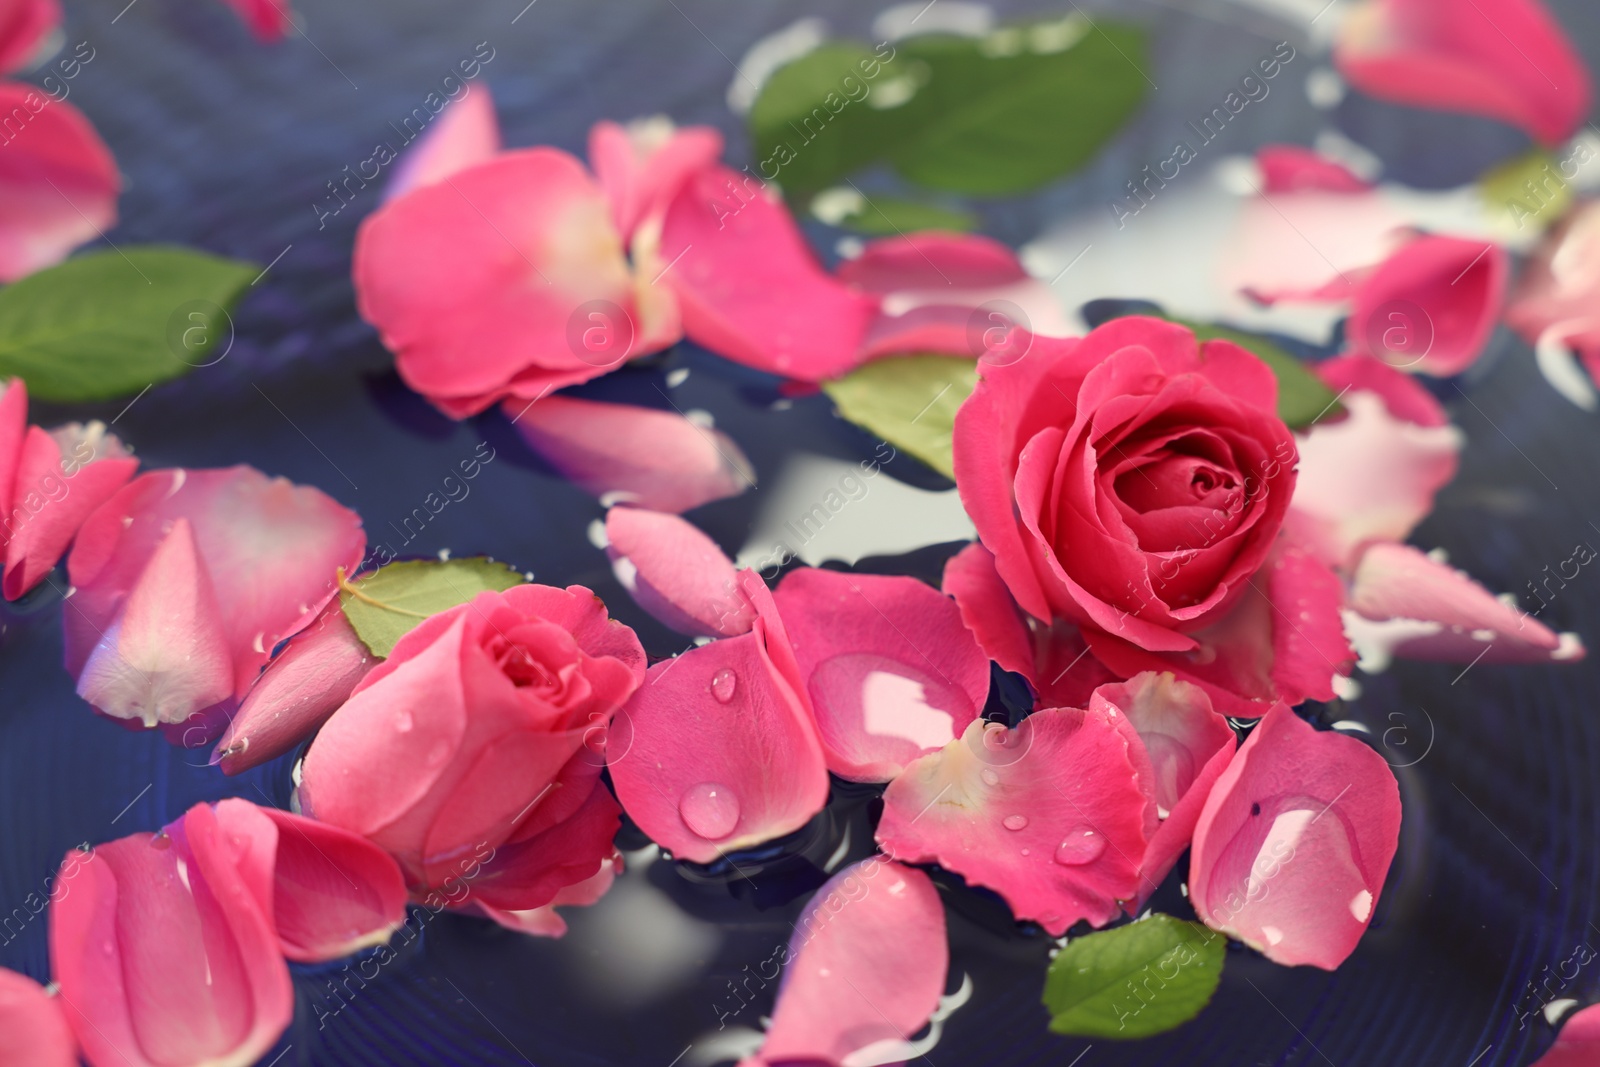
<point>388,604</point>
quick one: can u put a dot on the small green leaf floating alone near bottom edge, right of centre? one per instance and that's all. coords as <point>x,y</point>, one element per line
<point>1134,981</point>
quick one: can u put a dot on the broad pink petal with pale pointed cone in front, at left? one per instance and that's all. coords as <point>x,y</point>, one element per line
<point>186,581</point>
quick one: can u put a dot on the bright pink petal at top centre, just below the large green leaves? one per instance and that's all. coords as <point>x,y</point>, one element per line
<point>750,286</point>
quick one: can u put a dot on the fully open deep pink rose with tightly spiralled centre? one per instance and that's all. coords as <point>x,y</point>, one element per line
<point>1132,481</point>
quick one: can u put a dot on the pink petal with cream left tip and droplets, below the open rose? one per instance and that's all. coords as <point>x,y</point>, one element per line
<point>1050,815</point>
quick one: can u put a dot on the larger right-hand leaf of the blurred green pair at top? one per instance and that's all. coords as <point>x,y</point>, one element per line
<point>1022,106</point>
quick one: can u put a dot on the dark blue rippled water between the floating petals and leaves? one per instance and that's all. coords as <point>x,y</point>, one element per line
<point>228,146</point>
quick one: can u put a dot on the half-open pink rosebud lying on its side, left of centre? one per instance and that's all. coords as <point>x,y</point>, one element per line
<point>465,753</point>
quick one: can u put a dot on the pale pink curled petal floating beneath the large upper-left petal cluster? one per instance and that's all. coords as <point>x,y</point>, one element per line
<point>644,457</point>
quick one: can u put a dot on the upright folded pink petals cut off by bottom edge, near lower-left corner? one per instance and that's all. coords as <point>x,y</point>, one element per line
<point>166,954</point>
